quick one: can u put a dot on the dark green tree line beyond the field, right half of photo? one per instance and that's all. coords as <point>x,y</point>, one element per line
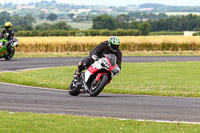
<point>173,23</point>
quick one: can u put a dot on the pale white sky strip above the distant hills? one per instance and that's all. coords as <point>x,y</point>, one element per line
<point>115,2</point>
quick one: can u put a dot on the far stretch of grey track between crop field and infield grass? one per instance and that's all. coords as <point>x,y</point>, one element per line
<point>26,63</point>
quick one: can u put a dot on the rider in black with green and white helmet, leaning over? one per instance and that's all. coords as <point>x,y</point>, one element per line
<point>108,47</point>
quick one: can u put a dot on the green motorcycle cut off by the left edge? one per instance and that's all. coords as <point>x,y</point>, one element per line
<point>3,48</point>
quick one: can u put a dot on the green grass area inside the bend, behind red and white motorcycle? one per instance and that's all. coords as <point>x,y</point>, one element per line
<point>161,79</point>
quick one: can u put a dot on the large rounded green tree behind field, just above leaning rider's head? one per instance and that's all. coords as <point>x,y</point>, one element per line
<point>104,22</point>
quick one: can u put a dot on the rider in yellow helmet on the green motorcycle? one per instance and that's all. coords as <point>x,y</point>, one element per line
<point>8,33</point>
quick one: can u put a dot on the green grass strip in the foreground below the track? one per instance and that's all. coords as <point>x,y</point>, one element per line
<point>52,123</point>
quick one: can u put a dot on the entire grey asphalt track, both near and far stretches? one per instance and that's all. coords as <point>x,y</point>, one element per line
<point>16,98</point>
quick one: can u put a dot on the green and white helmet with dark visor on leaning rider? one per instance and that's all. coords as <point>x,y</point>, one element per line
<point>114,43</point>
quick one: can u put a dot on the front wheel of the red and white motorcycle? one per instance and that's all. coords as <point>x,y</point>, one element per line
<point>97,86</point>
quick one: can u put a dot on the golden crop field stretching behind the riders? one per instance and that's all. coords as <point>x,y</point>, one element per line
<point>128,43</point>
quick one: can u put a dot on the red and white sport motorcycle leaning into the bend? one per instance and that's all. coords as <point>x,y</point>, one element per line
<point>96,77</point>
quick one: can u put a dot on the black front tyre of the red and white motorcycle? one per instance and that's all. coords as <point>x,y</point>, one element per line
<point>103,81</point>
